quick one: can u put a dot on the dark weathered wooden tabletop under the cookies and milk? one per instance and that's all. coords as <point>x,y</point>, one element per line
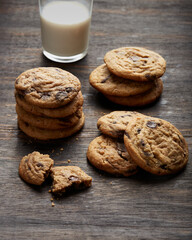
<point>139,207</point>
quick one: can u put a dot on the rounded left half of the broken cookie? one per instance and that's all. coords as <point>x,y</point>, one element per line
<point>35,167</point>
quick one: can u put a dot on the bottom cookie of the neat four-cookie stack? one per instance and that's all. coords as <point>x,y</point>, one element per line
<point>46,134</point>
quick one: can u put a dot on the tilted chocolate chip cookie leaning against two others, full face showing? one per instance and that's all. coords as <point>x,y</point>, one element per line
<point>156,145</point>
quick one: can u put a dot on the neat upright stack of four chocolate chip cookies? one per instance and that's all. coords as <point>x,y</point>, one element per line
<point>49,103</point>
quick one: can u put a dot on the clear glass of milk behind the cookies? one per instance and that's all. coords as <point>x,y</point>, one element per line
<point>65,28</point>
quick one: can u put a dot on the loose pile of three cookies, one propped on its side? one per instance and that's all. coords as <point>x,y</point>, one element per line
<point>131,139</point>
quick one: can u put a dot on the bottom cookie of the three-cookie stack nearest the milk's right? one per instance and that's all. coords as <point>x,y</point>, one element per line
<point>140,99</point>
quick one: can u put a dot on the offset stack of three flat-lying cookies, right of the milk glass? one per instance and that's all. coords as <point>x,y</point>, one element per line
<point>130,76</point>
